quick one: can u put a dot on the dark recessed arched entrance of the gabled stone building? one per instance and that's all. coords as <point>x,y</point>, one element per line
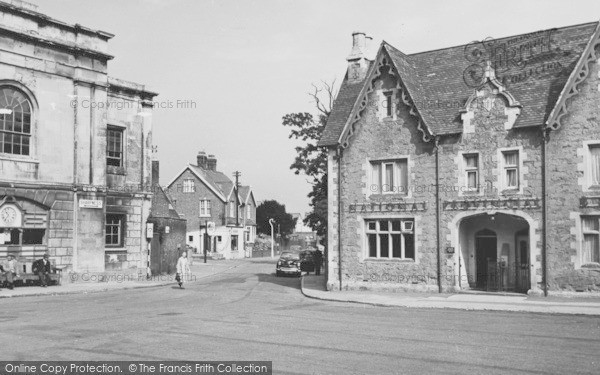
<point>494,252</point>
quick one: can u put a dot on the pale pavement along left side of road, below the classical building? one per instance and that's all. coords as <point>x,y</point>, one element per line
<point>198,270</point>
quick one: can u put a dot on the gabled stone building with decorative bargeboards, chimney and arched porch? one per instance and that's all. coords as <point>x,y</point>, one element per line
<point>469,167</point>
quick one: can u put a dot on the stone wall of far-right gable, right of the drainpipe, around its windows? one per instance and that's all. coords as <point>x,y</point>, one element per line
<point>567,173</point>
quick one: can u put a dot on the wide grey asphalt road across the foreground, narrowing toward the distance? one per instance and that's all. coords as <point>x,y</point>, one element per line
<point>249,314</point>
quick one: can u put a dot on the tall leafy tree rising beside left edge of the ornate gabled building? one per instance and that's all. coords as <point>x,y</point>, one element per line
<point>312,160</point>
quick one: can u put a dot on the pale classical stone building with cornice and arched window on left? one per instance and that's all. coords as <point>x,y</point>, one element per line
<point>75,147</point>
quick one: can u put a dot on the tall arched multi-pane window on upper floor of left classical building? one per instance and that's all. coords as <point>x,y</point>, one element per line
<point>15,122</point>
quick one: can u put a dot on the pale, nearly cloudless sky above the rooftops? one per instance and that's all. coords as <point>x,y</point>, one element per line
<point>243,64</point>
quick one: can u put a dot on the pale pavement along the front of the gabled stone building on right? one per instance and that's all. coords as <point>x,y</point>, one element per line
<point>314,287</point>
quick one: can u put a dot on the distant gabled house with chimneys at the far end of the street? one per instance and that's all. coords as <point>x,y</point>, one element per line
<point>203,195</point>
